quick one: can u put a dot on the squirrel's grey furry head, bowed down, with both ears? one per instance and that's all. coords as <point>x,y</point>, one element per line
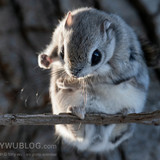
<point>86,43</point>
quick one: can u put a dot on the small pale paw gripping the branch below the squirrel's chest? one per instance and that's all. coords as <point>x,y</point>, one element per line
<point>78,111</point>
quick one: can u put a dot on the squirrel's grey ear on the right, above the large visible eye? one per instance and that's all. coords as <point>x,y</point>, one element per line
<point>107,27</point>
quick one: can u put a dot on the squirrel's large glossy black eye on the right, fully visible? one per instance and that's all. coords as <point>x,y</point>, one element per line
<point>96,57</point>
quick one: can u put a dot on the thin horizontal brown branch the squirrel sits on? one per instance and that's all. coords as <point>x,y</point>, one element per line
<point>152,118</point>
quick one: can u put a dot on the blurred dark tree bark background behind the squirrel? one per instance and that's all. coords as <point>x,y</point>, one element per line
<point>26,27</point>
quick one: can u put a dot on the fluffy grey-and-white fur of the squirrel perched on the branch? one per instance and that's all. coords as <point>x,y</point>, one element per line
<point>118,83</point>
